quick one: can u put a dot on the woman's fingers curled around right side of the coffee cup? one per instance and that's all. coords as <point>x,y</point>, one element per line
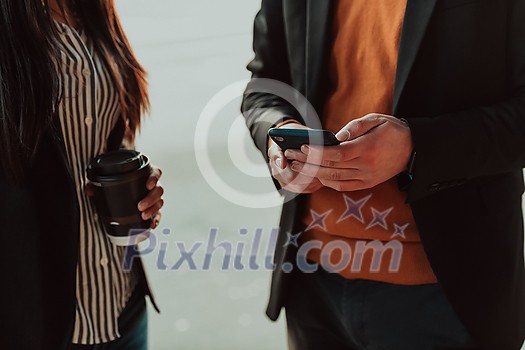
<point>151,205</point>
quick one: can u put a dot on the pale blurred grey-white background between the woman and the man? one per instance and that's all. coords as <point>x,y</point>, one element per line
<point>193,50</point>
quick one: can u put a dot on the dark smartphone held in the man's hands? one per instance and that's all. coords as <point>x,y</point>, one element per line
<point>295,138</point>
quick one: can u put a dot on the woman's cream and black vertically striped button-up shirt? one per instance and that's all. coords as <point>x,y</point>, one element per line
<point>88,110</point>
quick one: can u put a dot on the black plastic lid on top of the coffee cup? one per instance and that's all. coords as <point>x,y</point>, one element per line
<point>116,163</point>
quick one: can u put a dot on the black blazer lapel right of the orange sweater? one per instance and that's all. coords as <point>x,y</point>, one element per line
<point>417,17</point>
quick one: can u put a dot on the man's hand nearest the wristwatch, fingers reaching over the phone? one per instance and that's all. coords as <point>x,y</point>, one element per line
<point>374,149</point>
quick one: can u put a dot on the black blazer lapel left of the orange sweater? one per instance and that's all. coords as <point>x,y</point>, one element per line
<point>317,19</point>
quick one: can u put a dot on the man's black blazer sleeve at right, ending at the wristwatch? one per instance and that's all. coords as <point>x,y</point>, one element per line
<point>458,147</point>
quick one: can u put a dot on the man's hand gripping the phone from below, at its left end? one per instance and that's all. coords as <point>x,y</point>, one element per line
<point>282,172</point>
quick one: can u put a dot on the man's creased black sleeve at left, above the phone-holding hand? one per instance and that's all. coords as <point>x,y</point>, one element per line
<point>264,110</point>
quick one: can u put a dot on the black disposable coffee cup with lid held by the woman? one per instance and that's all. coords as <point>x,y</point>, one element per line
<point>119,179</point>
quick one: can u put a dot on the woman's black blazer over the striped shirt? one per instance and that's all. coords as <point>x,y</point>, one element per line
<point>40,240</point>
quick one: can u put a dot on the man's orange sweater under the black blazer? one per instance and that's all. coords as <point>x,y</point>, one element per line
<point>375,227</point>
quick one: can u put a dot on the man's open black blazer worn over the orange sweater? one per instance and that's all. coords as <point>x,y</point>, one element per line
<point>461,85</point>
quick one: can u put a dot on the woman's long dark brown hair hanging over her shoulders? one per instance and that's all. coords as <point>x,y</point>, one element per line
<point>29,92</point>
